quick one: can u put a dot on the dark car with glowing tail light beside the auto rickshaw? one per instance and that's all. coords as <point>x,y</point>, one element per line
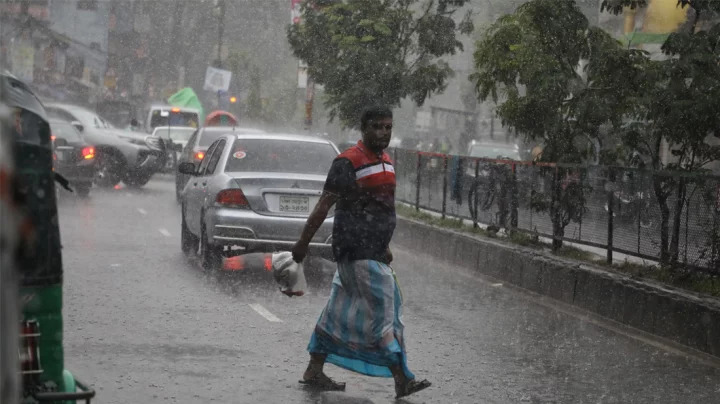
<point>73,157</point>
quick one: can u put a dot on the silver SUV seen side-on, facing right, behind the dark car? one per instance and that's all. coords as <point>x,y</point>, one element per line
<point>131,157</point>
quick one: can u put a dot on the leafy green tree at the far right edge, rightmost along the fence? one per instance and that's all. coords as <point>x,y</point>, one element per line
<point>676,101</point>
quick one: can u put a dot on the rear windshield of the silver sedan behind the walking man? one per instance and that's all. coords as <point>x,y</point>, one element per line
<point>287,156</point>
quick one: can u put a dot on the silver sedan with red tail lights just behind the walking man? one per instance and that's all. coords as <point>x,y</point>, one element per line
<point>255,192</point>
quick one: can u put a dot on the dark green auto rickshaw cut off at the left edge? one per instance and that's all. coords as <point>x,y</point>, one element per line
<point>38,257</point>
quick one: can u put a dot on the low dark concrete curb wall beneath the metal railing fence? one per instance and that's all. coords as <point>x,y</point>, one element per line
<point>680,316</point>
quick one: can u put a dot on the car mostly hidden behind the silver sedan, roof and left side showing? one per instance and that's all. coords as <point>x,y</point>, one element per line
<point>198,144</point>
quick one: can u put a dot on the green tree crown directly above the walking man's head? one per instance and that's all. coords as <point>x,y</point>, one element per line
<point>377,51</point>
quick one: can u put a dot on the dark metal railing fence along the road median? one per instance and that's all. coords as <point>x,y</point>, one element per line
<point>618,209</point>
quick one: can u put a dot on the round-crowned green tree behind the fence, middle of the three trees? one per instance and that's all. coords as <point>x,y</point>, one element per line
<point>530,63</point>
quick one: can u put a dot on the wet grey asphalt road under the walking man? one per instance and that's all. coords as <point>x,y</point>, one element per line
<point>143,324</point>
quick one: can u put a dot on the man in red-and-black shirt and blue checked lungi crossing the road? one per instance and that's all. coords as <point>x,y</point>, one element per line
<point>360,328</point>
